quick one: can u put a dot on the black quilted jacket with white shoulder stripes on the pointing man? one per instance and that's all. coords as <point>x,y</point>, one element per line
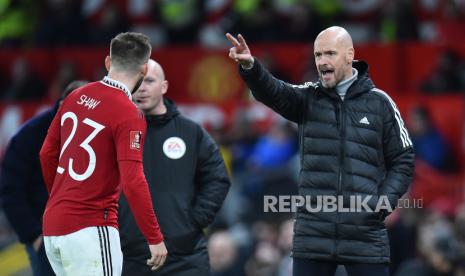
<point>358,146</point>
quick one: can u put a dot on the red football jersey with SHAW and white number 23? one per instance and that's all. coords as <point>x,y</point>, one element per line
<point>95,131</point>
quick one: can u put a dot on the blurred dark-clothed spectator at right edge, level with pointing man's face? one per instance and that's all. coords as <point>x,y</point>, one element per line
<point>449,76</point>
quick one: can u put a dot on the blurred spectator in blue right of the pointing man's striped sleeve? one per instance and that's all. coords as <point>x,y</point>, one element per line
<point>429,144</point>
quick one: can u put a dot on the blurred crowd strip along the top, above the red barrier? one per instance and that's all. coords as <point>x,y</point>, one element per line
<point>83,22</point>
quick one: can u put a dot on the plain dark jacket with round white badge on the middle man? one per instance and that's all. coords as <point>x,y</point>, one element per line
<point>186,192</point>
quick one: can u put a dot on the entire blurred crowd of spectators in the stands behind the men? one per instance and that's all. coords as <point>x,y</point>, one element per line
<point>244,240</point>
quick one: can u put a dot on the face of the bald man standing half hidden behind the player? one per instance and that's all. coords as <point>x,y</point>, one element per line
<point>149,96</point>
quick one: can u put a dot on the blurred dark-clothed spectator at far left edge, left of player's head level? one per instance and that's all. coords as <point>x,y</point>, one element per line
<point>24,83</point>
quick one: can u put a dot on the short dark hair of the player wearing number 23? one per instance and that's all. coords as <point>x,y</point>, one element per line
<point>129,51</point>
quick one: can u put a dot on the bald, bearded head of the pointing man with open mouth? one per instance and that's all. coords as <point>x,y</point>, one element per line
<point>333,58</point>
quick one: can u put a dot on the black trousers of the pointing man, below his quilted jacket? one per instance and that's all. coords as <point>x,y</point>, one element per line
<point>308,267</point>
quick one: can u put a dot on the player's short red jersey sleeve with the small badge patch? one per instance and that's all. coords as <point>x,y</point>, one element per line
<point>129,138</point>
